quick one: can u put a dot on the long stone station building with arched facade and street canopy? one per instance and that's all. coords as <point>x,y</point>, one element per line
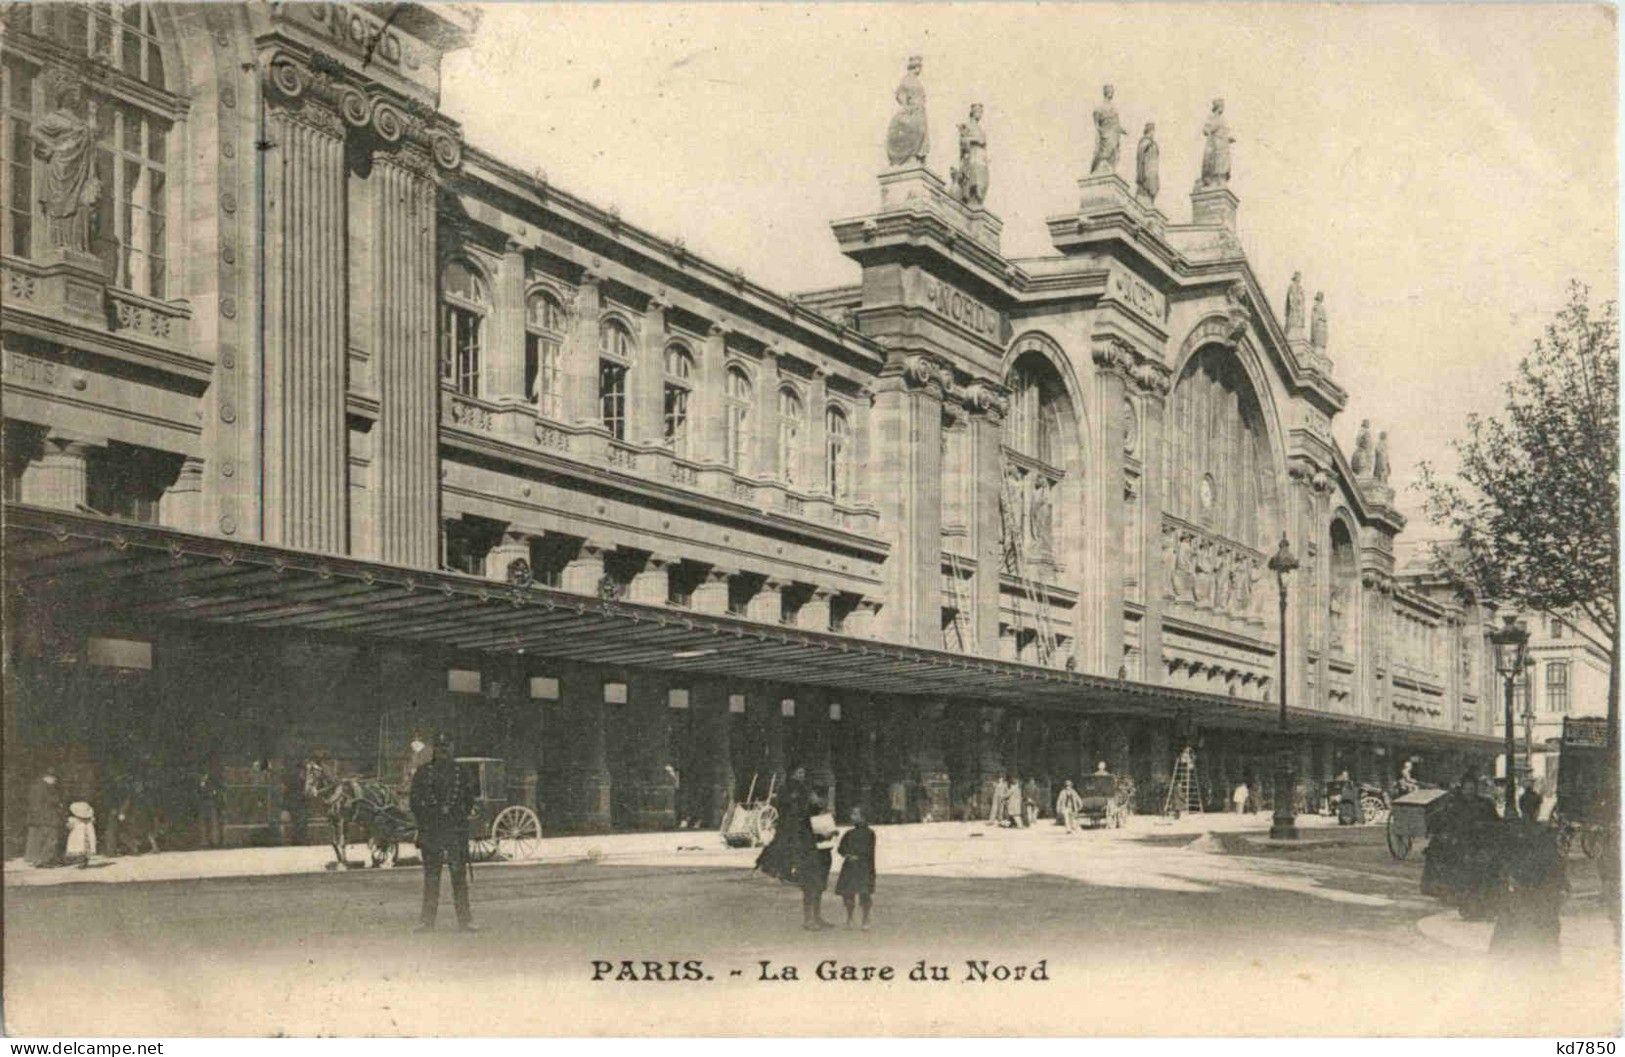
<point>324,427</point>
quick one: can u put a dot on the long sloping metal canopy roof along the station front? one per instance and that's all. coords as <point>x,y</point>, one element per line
<point>142,573</point>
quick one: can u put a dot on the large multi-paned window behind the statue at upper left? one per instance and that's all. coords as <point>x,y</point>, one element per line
<point>105,142</point>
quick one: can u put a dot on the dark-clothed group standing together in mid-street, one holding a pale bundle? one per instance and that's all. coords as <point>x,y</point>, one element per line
<point>800,855</point>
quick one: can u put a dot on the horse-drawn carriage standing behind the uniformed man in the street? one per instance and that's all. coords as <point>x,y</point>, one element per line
<point>496,825</point>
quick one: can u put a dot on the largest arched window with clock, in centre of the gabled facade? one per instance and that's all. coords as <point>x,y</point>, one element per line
<point>1220,468</point>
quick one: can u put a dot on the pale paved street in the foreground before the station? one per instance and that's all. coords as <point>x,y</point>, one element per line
<point>1156,929</point>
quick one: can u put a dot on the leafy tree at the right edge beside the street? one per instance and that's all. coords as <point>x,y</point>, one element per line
<point>1535,507</point>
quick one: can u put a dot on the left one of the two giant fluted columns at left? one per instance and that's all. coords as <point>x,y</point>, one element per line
<point>308,334</point>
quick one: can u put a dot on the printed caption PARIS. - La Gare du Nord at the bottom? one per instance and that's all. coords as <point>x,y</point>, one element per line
<point>833,970</point>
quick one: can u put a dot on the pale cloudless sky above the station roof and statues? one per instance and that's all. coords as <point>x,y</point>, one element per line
<point>1441,172</point>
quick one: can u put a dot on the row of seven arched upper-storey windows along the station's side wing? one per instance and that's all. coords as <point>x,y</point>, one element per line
<point>467,302</point>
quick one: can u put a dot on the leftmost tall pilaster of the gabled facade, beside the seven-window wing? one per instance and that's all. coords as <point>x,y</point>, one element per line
<point>906,463</point>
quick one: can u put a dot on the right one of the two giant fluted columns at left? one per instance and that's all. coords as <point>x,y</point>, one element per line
<point>409,430</point>
